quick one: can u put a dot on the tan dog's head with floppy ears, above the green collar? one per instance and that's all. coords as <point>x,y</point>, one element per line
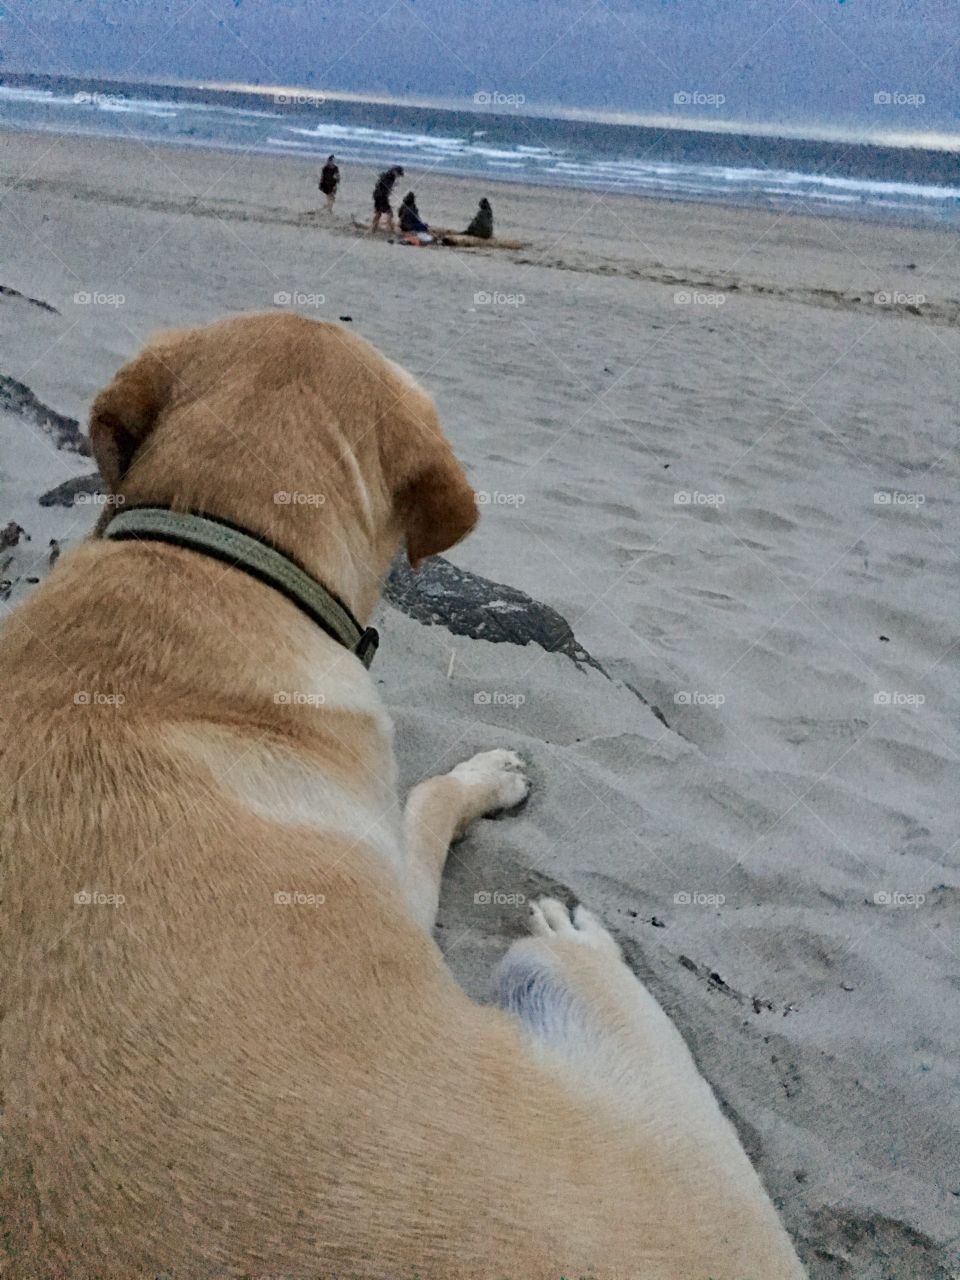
<point>295,429</point>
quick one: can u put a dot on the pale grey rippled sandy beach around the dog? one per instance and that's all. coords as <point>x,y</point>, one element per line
<point>723,445</point>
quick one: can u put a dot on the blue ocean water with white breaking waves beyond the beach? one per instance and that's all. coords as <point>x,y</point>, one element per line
<point>915,185</point>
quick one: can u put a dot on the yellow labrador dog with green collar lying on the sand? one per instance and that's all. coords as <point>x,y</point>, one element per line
<point>231,1046</point>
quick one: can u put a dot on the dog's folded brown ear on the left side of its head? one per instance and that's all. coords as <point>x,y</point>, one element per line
<point>126,413</point>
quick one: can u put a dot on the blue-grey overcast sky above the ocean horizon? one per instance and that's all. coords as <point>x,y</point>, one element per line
<point>771,61</point>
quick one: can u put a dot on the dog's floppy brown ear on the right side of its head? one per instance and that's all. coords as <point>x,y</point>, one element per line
<point>437,505</point>
